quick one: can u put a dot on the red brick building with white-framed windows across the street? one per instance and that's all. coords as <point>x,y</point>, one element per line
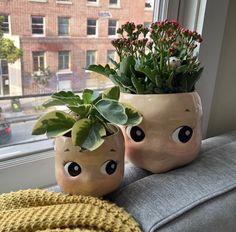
<point>65,36</point>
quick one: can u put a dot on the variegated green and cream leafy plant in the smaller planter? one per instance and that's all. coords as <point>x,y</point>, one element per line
<point>89,118</point>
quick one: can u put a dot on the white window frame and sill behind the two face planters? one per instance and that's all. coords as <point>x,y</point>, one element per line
<point>15,171</point>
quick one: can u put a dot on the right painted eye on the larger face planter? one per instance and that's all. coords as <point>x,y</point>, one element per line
<point>182,134</point>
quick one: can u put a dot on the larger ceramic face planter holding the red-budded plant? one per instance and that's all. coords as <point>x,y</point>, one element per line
<point>170,133</point>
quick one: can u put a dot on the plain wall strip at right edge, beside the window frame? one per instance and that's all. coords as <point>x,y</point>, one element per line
<point>223,110</point>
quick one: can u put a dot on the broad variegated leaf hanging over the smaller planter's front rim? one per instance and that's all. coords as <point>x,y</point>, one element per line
<point>88,135</point>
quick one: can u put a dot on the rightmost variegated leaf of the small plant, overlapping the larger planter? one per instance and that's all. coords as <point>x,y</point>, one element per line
<point>134,117</point>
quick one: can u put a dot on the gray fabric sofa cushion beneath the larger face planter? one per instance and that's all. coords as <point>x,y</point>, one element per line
<point>198,197</point>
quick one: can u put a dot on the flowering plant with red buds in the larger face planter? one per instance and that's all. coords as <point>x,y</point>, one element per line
<point>161,59</point>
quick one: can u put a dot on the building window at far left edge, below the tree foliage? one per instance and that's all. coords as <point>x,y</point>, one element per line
<point>4,78</point>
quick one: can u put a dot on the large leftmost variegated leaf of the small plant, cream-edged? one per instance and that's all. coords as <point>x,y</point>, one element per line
<point>54,123</point>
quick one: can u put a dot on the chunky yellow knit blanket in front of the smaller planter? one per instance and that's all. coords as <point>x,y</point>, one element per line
<point>40,210</point>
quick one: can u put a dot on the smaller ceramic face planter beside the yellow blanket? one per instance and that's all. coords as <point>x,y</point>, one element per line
<point>93,173</point>
